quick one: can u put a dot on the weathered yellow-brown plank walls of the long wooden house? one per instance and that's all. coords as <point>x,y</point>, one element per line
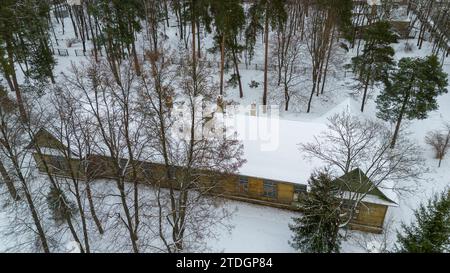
<point>370,217</point>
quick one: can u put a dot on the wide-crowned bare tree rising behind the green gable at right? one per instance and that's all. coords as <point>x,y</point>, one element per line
<point>351,143</point>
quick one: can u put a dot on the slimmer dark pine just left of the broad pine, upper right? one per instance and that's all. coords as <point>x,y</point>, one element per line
<point>374,64</point>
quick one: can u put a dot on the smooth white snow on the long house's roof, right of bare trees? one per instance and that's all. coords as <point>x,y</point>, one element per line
<point>271,147</point>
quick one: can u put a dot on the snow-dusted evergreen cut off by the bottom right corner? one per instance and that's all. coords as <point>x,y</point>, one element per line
<point>430,232</point>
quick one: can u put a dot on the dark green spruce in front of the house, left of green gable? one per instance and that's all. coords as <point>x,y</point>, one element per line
<point>317,230</point>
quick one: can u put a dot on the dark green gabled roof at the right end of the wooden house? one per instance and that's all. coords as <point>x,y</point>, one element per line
<point>356,181</point>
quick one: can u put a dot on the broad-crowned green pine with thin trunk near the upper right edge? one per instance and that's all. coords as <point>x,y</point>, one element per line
<point>412,91</point>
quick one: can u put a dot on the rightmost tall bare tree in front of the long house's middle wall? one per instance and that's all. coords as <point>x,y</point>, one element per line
<point>193,165</point>
